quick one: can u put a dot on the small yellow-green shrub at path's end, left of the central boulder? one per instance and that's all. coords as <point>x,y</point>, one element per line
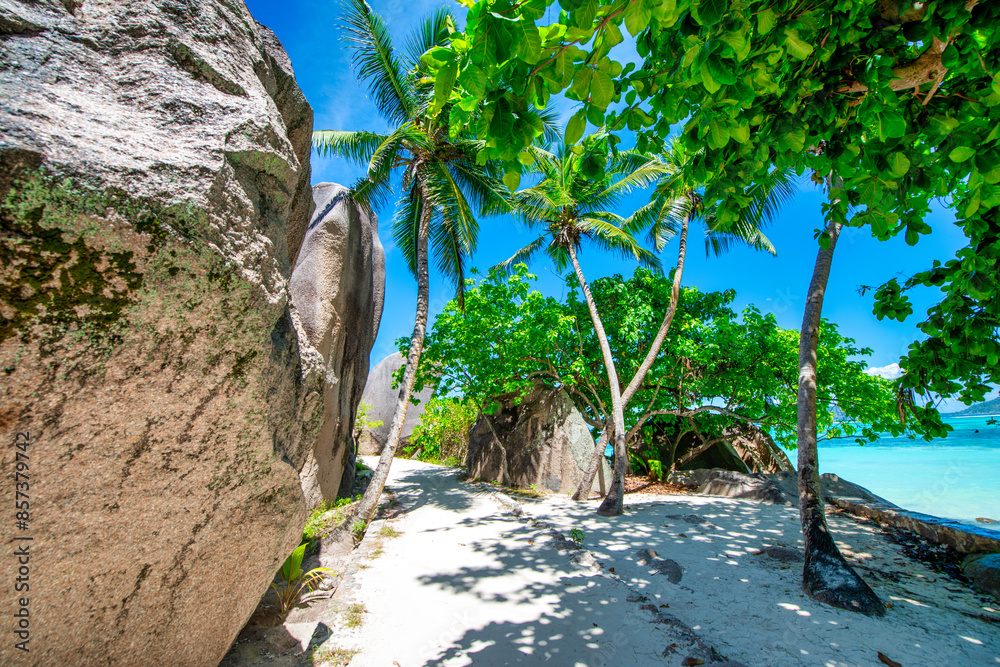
<point>442,436</point>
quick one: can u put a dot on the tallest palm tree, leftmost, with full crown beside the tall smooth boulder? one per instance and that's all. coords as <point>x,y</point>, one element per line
<point>440,181</point>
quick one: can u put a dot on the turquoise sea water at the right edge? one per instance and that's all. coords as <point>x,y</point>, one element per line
<point>956,477</point>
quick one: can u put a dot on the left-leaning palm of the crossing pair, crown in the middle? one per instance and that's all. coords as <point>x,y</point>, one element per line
<point>570,203</point>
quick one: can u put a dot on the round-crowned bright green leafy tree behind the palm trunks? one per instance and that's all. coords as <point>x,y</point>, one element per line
<point>713,362</point>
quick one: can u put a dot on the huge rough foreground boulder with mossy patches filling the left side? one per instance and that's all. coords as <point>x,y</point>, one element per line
<point>154,191</point>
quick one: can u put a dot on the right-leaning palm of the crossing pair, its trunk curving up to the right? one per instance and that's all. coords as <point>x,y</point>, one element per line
<point>674,205</point>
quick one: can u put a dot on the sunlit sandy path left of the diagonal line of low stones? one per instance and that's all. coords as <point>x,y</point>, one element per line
<point>466,582</point>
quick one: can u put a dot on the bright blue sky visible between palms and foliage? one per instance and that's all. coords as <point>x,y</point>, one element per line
<point>310,33</point>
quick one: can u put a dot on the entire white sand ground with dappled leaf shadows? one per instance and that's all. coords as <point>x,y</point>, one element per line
<point>467,582</point>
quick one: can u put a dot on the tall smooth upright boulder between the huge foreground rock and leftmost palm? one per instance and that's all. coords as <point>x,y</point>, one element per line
<point>337,290</point>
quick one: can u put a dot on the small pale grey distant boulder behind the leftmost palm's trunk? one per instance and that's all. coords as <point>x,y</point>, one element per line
<point>382,397</point>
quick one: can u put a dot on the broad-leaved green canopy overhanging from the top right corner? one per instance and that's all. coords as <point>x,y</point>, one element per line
<point>901,101</point>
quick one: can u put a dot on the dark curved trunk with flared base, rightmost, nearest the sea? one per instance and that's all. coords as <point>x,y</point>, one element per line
<point>826,576</point>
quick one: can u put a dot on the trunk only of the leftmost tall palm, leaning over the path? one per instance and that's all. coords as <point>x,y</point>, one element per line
<point>366,508</point>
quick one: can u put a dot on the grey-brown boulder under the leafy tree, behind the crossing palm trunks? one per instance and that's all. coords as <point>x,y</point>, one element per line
<point>542,441</point>
